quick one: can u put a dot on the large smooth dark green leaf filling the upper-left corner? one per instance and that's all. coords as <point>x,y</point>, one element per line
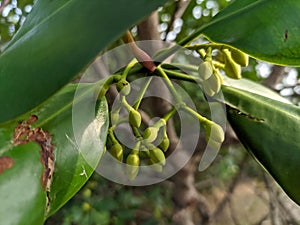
<point>58,39</point>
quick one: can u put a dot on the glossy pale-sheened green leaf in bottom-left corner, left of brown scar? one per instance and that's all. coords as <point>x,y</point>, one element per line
<point>23,200</point>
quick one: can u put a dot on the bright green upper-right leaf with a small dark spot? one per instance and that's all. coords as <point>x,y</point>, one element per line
<point>267,30</point>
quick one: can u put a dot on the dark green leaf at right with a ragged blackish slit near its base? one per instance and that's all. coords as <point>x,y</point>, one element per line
<point>270,130</point>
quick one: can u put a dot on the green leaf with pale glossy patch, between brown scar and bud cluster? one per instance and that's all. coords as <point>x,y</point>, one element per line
<point>75,162</point>
